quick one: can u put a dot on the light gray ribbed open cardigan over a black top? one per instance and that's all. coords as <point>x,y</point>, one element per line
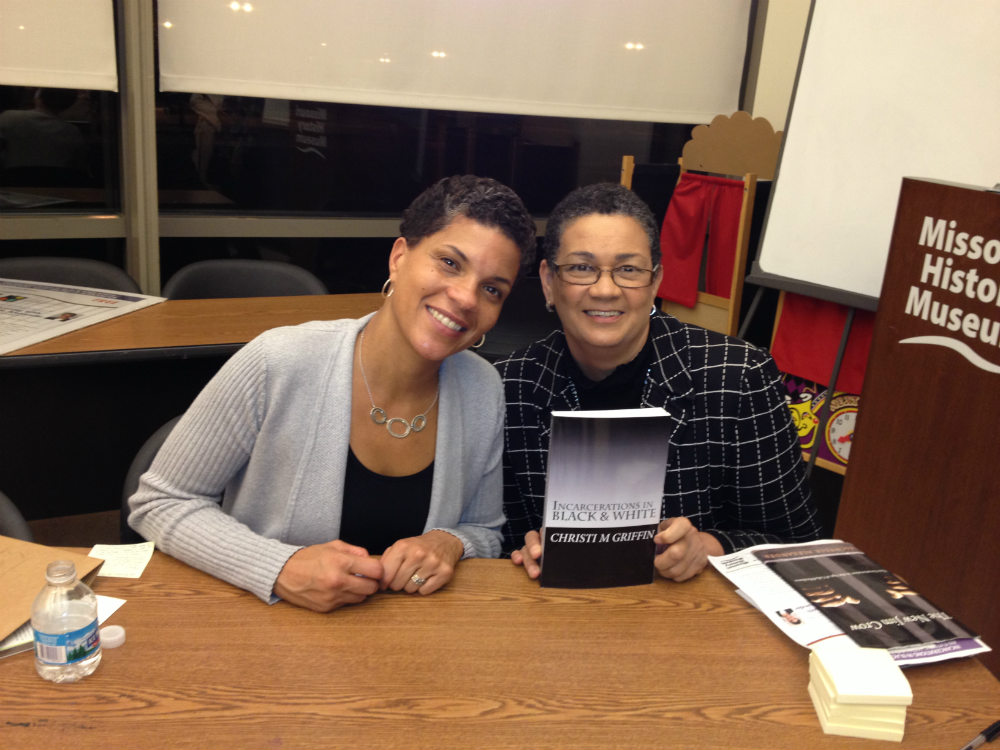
<point>255,468</point>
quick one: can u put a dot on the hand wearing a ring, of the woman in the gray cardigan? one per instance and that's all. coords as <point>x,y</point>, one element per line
<point>431,556</point>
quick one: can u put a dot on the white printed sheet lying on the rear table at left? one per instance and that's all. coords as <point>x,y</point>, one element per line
<point>34,311</point>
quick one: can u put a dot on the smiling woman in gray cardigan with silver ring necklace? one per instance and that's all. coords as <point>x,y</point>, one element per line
<point>317,447</point>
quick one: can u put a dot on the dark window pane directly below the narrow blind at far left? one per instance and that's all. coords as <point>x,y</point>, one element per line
<point>58,149</point>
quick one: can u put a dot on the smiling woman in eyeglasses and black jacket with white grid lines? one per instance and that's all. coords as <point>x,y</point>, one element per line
<point>734,475</point>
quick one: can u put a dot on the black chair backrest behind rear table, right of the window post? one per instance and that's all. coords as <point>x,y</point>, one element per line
<point>241,277</point>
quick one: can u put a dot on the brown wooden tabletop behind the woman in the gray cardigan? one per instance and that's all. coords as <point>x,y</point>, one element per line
<point>177,328</point>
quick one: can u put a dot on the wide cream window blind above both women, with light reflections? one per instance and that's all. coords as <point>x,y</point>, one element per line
<point>645,60</point>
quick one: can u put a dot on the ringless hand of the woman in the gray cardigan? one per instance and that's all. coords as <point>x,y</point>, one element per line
<point>326,576</point>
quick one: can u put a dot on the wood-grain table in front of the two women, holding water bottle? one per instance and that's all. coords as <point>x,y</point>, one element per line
<point>490,661</point>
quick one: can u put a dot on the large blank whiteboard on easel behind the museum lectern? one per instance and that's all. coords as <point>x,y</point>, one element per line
<point>886,90</point>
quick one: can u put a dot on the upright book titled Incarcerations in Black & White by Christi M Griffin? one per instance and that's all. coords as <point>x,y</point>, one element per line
<point>603,494</point>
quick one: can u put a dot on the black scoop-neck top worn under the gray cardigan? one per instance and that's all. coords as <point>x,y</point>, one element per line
<point>379,510</point>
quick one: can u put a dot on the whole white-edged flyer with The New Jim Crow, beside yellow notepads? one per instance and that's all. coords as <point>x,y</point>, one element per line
<point>844,602</point>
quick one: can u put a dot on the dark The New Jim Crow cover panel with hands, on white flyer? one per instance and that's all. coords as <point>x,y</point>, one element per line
<point>875,607</point>
